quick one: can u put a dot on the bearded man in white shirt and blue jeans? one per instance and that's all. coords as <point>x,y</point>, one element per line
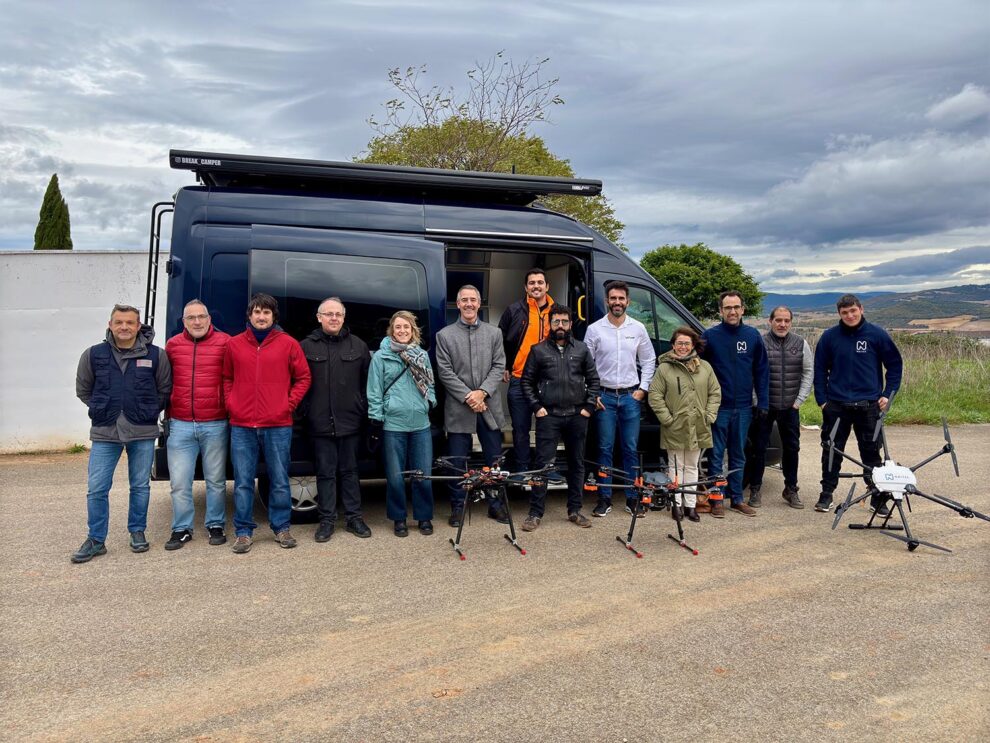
<point>625,360</point>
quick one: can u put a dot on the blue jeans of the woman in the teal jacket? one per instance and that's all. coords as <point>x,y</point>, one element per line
<point>412,450</point>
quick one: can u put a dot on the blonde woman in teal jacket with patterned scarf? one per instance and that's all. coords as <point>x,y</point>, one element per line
<point>400,394</point>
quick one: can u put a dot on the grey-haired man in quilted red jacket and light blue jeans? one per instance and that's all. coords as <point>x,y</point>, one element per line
<point>197,423</point>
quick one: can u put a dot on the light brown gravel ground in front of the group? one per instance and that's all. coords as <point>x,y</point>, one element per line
<point>781,629</point>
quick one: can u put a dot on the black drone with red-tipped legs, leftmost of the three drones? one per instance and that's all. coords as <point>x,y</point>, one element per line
<point>484,483</point>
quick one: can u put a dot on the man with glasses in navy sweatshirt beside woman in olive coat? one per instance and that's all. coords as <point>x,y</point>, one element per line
<point>739,358</point>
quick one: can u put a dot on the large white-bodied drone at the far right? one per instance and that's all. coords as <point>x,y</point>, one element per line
<point>895,482</point>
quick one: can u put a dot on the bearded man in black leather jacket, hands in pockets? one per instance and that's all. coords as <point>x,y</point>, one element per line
<point>560,383</point>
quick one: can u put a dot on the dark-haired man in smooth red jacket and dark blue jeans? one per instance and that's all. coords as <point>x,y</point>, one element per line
<point>265,376</point>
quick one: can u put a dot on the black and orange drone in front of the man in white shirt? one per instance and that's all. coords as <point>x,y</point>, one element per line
<point>656,491</point>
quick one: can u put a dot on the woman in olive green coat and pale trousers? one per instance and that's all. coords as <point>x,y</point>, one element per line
<point>685,395</point>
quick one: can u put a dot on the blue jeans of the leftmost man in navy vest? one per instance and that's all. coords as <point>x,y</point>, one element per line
<point>103,458</point>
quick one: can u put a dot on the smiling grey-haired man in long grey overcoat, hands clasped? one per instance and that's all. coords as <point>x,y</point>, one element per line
<point>470,362</point>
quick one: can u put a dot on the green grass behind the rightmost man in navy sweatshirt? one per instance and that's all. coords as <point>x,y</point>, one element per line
<point>944,375</point>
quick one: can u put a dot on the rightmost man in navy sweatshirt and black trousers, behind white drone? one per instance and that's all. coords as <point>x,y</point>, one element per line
<point>857,369</point>
